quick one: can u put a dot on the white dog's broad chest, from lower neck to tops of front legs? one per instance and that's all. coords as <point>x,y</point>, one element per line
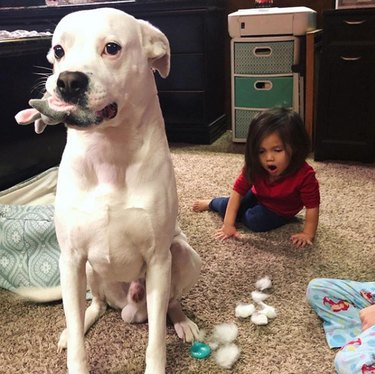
<point>113,208</point>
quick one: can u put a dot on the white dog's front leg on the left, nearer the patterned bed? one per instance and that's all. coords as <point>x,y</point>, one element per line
<point>73,285</point>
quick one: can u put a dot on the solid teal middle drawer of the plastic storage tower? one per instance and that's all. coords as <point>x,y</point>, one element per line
<point>256,92</point>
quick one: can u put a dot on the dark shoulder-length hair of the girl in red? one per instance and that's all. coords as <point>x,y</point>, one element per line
<point>291,130</point>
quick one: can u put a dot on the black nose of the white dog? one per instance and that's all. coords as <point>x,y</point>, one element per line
<point>72,85</point>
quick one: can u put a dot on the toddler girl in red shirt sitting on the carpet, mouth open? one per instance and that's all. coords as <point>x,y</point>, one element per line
<point>275,182</point>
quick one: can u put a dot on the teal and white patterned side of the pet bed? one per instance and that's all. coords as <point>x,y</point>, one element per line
<point>29,252</point>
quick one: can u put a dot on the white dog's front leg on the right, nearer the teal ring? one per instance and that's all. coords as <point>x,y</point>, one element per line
<point>158,280</point>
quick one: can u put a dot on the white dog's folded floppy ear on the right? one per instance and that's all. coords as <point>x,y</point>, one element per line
<point>156,47</point>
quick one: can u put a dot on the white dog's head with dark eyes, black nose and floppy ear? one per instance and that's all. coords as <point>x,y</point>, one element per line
<point>103,62</point>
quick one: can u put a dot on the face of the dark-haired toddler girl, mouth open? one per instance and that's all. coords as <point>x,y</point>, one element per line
<point>273,155</point>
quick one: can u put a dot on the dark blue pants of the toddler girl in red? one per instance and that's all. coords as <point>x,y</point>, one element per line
<point>253,215</point>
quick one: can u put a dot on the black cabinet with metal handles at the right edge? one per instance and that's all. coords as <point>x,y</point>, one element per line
<point>345,125</point>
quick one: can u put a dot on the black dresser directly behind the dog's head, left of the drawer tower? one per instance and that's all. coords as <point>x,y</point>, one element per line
<point>192,97</point>
